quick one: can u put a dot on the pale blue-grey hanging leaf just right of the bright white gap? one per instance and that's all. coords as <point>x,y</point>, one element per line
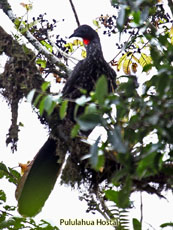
<point>114,137</point>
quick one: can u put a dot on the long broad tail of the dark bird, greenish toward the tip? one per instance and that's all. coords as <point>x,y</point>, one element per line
<point>39,179</point>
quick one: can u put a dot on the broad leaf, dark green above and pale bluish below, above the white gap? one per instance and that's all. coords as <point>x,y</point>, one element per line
<point>88,121</point>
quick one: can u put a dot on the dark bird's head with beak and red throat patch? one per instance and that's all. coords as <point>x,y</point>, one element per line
<point>86,33</point>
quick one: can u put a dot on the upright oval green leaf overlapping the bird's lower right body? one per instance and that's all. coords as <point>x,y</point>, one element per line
<point>101,89</point>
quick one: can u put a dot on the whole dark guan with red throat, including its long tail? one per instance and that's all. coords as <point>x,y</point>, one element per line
<point>38,181</point>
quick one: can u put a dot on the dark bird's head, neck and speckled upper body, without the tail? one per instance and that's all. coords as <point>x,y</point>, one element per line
<point>87,71</point>
